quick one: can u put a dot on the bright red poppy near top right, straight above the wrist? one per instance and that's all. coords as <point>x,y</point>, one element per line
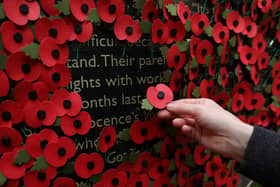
<point>235,22</point>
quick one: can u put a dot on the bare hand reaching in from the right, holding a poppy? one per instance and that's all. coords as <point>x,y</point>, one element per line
<point>207,122</point>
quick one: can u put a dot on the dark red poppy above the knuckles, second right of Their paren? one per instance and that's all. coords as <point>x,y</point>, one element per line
<point>203,49</point>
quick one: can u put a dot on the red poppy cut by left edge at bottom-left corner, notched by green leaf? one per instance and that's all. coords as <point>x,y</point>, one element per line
<point>10,170</point>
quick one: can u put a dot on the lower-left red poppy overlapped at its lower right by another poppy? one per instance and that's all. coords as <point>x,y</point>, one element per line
<point>36,143</point>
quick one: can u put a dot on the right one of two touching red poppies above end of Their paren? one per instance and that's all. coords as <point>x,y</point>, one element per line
<point>177,31</point>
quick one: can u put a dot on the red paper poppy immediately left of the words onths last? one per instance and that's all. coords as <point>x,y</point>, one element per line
<point>67,103</point>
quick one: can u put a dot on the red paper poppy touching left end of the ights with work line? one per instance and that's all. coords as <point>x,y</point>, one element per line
<point>56,77</point>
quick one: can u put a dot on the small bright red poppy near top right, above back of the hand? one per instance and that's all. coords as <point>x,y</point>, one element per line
<point>220,33</point>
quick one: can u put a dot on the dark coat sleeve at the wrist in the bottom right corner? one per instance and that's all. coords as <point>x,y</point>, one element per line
<point>261,161</point>
